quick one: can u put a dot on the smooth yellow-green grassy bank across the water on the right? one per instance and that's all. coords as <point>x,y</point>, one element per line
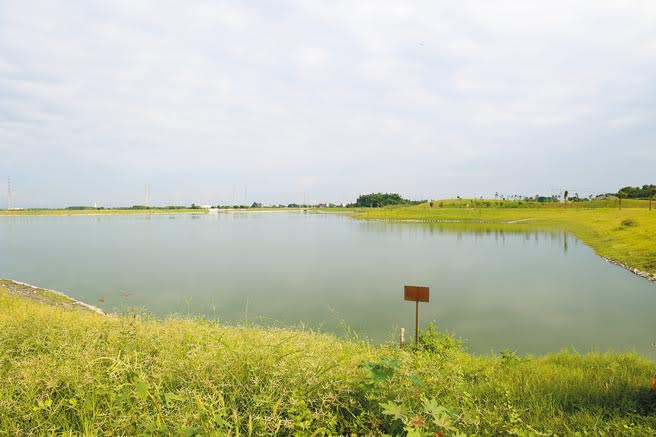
<point>627,236</point>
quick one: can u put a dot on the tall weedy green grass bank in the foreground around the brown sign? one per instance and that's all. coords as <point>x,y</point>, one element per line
<point>70,372</point>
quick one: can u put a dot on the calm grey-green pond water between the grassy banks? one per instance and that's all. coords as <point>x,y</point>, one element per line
<point>531,292</point>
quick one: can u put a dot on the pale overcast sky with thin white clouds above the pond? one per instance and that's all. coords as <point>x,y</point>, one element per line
<point>236,102</point>
